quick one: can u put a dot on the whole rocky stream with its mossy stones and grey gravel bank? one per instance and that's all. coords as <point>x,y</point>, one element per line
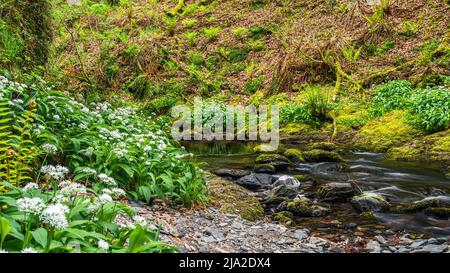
<point>318,199</point>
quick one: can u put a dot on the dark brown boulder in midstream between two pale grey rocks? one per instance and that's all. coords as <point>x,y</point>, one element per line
<point>336,192</point>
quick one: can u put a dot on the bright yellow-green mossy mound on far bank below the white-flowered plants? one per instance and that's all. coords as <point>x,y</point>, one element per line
<point>385,132</point>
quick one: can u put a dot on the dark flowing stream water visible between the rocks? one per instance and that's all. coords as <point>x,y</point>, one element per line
<point>399,182</point>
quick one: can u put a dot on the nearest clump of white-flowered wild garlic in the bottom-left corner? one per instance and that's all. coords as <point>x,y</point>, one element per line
<point>79,222</point>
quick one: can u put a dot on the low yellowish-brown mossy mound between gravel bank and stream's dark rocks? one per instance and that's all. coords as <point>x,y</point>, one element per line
<point>231,198</point>
